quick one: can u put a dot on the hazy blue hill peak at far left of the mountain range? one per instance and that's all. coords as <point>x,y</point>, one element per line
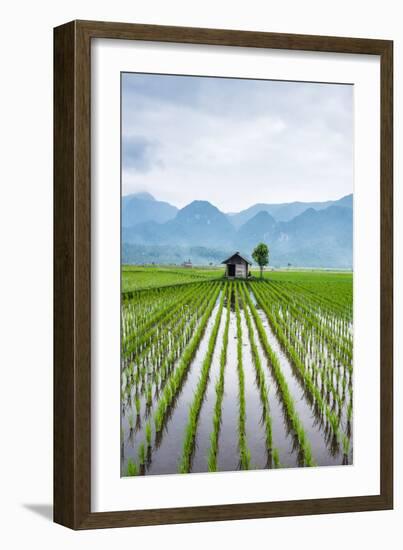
<point>142,207</point>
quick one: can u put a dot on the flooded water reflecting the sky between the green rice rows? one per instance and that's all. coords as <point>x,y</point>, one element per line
<point>165,446</point>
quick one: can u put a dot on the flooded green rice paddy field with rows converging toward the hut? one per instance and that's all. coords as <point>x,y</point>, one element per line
<point>221,375</point>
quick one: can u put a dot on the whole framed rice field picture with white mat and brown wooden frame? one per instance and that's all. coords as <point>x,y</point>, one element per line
<point>223,260</point>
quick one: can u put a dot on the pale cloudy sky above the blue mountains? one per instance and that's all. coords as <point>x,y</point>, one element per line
<point>235,142</point>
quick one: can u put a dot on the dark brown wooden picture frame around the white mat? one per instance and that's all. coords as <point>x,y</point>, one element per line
<point>72,274</point>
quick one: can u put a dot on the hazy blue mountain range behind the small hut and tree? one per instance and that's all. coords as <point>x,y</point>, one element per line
<point>316,234</point>
